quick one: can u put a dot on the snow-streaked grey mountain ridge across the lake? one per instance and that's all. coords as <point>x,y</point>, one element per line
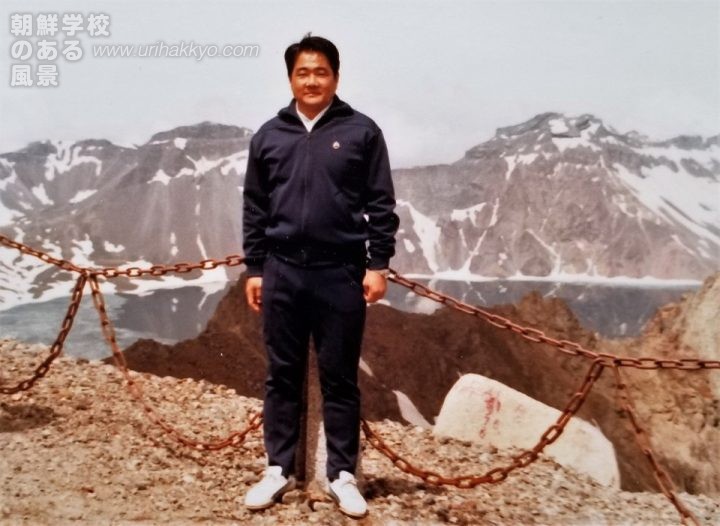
<point>555,196</point>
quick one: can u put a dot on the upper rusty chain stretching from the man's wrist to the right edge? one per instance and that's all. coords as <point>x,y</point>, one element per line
<point>538,336</point>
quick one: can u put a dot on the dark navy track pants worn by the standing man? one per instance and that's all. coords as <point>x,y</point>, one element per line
<point>326,303</point>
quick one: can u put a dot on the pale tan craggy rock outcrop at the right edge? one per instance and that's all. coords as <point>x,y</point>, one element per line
<point>681,410</point>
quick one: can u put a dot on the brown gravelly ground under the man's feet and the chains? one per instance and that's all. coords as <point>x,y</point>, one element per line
<point>77,449</point>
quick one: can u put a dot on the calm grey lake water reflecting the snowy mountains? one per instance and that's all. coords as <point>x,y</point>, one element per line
<point>171,315</point>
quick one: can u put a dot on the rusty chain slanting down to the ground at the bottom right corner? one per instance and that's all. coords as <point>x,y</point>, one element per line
<point>662,478</point>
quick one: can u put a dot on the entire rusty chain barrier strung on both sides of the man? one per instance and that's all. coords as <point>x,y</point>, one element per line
<point>600,361</point>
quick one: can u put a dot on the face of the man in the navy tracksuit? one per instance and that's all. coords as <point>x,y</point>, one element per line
<point>312,82</point>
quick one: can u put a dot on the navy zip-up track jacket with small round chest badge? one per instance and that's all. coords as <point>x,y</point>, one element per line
<point>313,189</point>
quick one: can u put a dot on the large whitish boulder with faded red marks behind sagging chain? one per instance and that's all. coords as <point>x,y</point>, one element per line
<point>485,411</point>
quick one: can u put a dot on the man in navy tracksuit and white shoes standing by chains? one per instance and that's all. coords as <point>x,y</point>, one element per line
<point>318,197</point>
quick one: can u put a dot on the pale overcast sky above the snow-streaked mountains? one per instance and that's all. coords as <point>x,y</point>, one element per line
<point>438,77</point>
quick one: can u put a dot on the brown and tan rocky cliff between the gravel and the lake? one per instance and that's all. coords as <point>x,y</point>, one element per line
<point>414,359</point>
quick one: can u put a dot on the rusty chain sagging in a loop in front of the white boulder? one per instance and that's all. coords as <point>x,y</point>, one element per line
<point>497,474</point>
